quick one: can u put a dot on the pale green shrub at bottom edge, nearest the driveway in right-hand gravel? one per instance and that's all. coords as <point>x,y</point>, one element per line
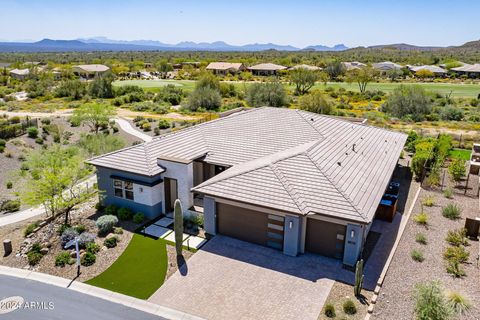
<point>430,302</point>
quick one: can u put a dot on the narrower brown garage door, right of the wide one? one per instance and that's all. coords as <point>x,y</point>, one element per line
<point>325,238</point>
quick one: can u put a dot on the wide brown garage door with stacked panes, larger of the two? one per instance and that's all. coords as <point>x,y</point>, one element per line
<point>250,225</point>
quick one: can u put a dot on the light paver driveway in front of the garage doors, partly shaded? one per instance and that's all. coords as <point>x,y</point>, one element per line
<point>232,279</point>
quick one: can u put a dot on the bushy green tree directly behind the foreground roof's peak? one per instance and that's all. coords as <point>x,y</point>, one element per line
<point>270,94</point>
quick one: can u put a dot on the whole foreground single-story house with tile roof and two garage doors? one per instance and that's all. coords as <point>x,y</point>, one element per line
<point>284,178</point>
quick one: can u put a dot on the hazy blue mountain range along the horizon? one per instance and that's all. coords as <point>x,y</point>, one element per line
<point>105,44</point>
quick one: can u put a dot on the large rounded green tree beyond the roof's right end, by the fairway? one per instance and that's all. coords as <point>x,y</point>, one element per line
<point>408,102</point>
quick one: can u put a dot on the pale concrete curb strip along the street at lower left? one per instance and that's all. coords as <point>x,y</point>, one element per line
<point>104,294</point>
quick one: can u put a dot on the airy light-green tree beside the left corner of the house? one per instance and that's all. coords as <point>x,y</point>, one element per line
<point>53,178</point>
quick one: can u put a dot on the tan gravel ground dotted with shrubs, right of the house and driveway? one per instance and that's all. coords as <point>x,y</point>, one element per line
<point>395,300</point>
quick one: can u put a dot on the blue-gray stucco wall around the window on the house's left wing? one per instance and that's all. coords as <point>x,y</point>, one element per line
<point>107,197</point>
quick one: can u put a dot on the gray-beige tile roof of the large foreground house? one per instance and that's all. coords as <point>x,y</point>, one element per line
<point>285,159</point>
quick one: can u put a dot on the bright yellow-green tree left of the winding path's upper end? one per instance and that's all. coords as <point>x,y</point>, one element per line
<point>94,115</point>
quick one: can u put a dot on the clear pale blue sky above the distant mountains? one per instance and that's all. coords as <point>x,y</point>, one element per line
<point>300,22</point>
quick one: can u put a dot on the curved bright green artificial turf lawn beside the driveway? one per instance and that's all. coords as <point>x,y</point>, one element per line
<point>139,271</point>
